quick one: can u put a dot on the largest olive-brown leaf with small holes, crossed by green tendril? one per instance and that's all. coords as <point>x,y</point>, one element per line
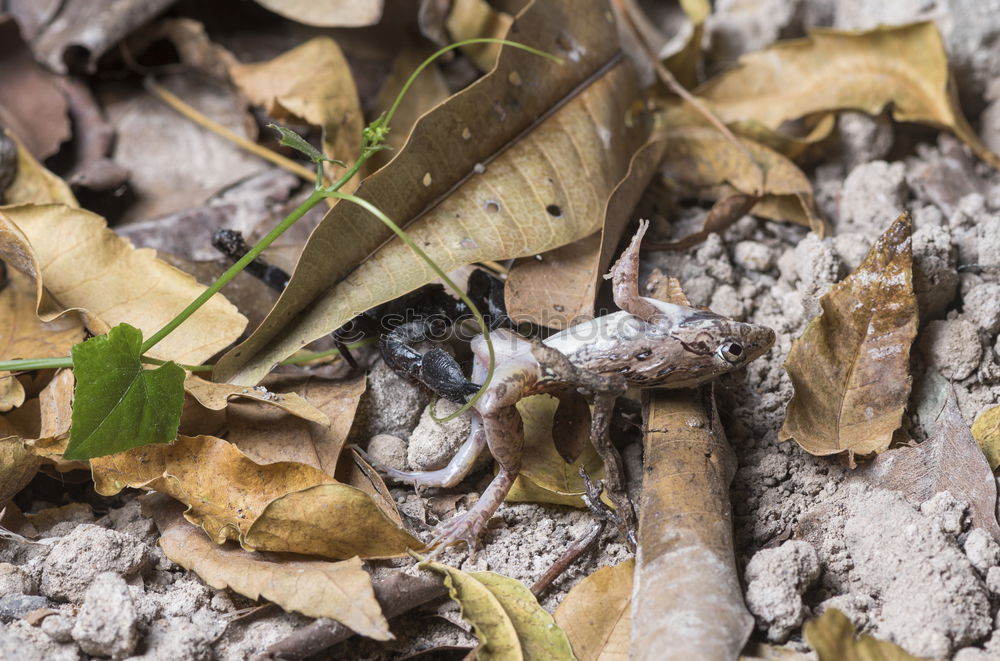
<point>522,161</point>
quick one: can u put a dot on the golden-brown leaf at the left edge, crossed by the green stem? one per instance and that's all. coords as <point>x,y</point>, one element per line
<point>24,335</point>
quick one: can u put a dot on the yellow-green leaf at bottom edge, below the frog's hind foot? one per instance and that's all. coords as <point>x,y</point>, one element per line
<point>506,617</point>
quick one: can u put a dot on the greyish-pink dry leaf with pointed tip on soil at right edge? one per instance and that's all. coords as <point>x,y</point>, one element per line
<point>949,460</point>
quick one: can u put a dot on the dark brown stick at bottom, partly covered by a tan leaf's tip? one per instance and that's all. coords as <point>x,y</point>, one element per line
<point>397,594</point>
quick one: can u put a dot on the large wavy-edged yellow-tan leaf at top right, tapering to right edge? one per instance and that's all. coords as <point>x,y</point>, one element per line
<point>904,67</point>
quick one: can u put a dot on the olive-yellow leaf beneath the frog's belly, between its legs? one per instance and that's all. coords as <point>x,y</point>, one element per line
<point>545,476</point>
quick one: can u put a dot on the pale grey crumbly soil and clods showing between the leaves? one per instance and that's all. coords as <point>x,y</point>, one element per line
<point>808,538</point>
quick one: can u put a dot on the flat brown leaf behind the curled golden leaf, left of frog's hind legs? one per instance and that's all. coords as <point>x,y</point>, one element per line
<point>267,435</point>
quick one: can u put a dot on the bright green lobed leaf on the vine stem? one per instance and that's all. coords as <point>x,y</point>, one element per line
<point>118,405</point>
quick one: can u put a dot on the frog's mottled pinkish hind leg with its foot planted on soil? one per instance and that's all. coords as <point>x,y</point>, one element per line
<point>505,436</point>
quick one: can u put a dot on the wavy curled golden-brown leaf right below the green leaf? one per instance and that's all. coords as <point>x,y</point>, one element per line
<point>284,506</point>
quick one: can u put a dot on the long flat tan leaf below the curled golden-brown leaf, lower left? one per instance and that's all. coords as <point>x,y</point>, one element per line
<point>341,591</point>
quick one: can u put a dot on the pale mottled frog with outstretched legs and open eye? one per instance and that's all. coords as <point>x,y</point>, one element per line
<point>648,344</point>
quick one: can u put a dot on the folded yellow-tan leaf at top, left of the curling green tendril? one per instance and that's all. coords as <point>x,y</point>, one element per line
<point>311,82</point>
